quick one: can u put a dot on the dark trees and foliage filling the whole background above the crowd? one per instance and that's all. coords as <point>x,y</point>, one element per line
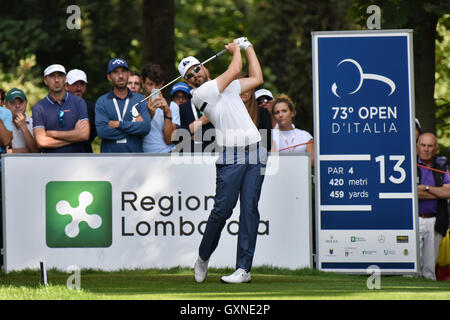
<point>164,32</point>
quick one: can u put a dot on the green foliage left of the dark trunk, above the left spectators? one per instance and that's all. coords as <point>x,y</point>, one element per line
<point>109,28</point>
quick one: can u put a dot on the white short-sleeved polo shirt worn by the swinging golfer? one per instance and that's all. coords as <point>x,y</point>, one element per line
<point>227,113</point>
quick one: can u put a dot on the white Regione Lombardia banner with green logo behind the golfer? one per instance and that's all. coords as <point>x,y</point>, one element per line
<point>141,211</point>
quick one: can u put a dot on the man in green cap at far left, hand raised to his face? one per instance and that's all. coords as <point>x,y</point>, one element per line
<point>23,140</point>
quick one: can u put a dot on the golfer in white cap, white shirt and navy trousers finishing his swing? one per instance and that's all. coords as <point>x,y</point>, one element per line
<point>241,157</point>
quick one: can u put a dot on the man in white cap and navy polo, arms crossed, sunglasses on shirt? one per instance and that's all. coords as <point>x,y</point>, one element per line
<point>60,120</point>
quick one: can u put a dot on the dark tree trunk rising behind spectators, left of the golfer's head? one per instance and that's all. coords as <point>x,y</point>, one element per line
<point>158,35</point>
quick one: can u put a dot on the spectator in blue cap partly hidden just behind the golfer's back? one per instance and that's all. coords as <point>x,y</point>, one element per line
<point>191,120</point>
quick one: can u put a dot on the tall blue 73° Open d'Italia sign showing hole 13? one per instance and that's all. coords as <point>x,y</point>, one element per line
<point>365,150</point>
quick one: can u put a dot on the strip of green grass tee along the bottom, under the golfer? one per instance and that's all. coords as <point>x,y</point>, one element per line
<point>179,284</point>
